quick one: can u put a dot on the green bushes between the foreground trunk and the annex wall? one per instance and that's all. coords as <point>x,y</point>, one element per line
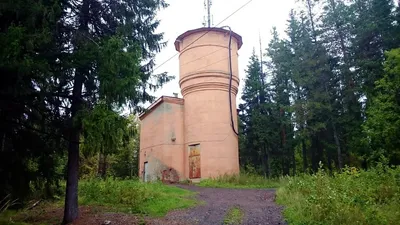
<point>120,158</point>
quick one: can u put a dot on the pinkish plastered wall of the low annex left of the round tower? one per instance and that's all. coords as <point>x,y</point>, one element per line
<point>161,140</point>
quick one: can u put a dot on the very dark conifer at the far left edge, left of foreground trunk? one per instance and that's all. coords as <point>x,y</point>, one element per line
<point>30,134</point>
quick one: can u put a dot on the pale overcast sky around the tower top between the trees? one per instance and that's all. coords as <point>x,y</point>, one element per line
<point>256,18</point>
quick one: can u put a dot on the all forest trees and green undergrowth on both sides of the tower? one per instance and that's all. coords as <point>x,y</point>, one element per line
<point>319,115</point>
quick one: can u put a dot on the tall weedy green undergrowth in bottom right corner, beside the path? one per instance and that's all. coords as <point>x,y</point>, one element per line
<point>352,197</point>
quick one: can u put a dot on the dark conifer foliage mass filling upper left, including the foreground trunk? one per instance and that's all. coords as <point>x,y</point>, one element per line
<point>65,64</point>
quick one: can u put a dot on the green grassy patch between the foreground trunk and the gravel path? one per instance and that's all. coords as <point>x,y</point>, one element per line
<point>133,196</point>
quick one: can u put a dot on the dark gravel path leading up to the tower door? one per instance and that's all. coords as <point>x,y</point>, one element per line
<point>258,206</point>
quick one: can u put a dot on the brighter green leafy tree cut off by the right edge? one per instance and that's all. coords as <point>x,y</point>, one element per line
<point>382,127</point>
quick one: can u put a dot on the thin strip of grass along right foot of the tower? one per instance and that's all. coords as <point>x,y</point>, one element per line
<point>244,180</point>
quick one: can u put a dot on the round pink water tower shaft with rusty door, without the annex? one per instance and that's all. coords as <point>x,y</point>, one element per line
<point>210,142</point>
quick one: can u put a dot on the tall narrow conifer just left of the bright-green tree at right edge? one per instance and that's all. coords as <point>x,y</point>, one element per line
<point>337,27</point>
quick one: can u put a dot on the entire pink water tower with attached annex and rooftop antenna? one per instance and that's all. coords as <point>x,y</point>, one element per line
<point>196,137</point>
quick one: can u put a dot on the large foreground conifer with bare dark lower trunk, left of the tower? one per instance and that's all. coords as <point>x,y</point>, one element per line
<point>107,58</point>
